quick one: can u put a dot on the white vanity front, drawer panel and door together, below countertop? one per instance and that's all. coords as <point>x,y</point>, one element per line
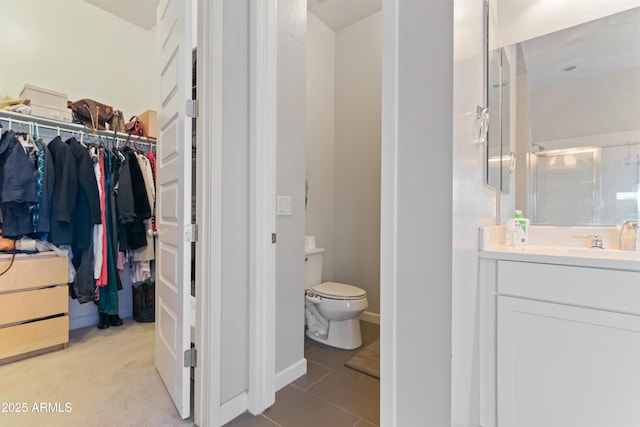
<point>568,346</point>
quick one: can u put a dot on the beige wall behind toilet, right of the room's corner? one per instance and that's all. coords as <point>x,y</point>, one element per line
<point>358,88</point>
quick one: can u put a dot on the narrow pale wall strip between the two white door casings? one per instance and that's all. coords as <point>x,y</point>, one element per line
<point>235,201</point>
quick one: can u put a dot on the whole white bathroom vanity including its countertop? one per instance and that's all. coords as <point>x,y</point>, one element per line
<point>559,333</point>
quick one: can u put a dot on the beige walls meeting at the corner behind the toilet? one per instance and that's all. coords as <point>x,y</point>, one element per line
<point>343,150</point>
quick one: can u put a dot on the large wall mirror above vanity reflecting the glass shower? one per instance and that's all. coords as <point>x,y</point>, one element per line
<point>576,122</point>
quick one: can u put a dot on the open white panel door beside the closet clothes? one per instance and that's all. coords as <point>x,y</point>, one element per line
<point>173,212</point>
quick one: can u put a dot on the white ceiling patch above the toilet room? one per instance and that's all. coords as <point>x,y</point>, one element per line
<point>340,13</point>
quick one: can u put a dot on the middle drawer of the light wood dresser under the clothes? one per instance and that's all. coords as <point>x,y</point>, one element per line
<point>33,304</point>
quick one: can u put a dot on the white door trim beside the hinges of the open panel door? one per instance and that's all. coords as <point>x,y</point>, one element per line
<point>207,411</point>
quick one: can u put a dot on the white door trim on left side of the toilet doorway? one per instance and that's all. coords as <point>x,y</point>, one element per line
<point>262,275</point>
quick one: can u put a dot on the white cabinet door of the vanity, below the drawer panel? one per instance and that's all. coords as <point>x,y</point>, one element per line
<point>566,366</point>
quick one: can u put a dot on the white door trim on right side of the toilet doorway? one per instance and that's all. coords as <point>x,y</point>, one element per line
<point>388,213</point>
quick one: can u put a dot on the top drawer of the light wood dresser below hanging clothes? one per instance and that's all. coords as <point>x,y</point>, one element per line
<point>33,271</point>
